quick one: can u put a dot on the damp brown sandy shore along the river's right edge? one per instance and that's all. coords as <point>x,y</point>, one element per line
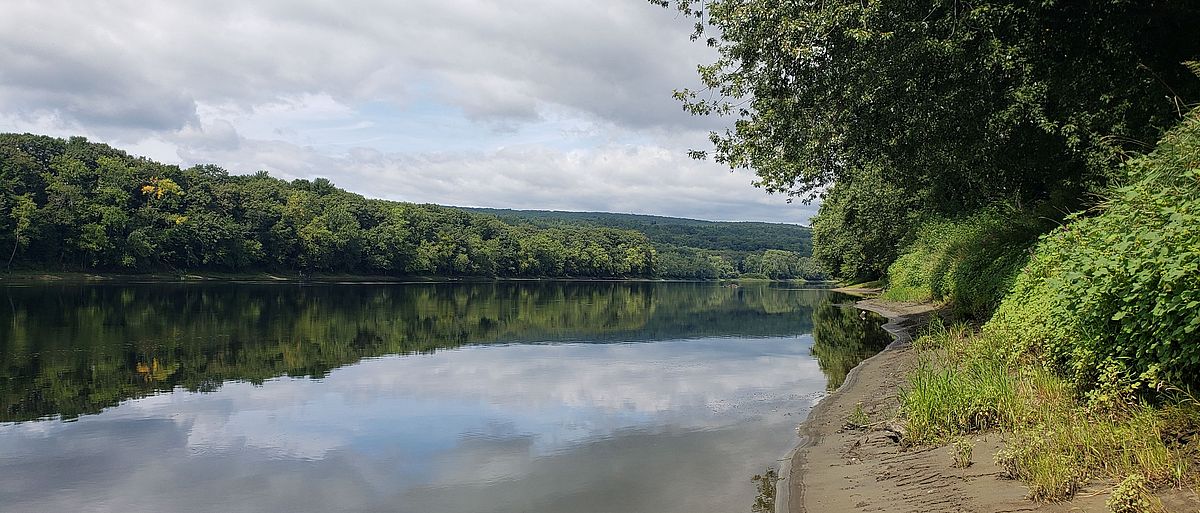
<point>842,469</point>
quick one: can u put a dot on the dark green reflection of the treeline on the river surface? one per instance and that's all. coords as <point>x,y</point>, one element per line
<point>86,348</point>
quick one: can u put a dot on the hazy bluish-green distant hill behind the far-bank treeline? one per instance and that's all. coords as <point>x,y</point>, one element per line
<point>712,236</point>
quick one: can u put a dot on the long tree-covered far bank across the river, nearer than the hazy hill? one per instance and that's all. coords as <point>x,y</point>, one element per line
<point>80,206</point>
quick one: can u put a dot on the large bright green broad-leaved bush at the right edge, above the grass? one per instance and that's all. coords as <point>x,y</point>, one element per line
<point>1114,299</point>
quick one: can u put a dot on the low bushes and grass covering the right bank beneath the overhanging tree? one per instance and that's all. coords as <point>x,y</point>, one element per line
<point>1088,361</point>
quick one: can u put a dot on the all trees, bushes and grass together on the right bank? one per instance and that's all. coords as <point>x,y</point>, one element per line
<point>1033,166</point>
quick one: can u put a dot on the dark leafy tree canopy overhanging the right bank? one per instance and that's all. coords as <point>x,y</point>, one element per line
<point>965,104</point>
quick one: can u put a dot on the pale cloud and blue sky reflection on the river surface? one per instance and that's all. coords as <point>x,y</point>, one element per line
<point>655,427</point>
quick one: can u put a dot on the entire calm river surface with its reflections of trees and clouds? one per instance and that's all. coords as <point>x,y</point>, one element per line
<point>458,399</point>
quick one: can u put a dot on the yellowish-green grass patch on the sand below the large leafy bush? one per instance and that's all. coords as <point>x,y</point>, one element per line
<point>968,383</point>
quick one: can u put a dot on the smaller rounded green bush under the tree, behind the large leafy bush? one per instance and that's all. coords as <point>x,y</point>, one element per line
<point>970,262</point>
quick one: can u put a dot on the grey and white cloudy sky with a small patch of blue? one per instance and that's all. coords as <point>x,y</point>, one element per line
<point>559,105</point>
